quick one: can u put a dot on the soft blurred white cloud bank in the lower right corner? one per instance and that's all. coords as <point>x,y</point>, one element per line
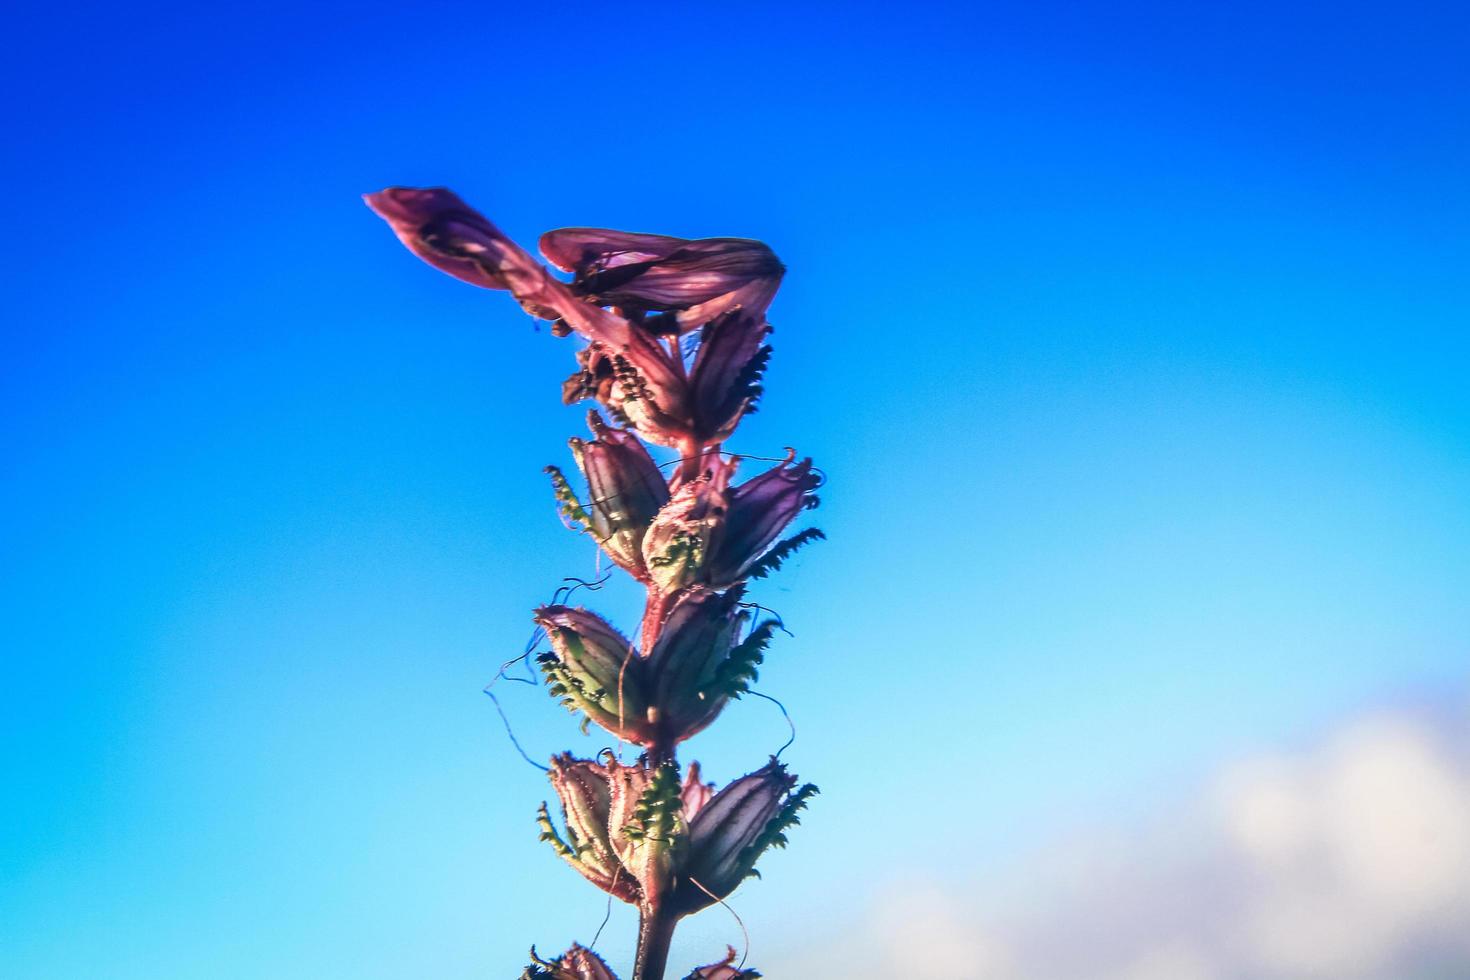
<point>1349,862</point>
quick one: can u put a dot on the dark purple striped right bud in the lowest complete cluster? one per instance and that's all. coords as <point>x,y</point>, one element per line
<point>734,829</point>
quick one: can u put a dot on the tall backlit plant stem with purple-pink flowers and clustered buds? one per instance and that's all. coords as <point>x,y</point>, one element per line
<point>675,346</point>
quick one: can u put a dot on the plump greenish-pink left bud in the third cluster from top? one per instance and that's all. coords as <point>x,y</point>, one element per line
<point>593,669</point>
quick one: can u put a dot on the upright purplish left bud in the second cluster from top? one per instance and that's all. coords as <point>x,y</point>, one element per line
<point>625,491</point>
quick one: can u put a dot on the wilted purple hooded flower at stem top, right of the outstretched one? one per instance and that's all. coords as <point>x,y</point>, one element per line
<point>692,281</point>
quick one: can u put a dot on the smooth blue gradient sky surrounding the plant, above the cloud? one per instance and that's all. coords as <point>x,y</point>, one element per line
<point>1133,340</point>
